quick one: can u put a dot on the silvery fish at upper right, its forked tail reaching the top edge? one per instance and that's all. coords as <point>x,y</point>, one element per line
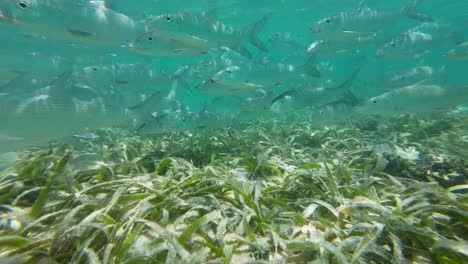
<point>363,22</point>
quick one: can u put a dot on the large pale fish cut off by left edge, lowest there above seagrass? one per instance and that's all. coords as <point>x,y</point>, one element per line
<point>51,112</point>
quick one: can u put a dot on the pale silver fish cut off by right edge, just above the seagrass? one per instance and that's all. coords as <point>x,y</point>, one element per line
<point>419,98</point>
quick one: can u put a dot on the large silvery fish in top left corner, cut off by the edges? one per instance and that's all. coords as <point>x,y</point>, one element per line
<point>83,21</point>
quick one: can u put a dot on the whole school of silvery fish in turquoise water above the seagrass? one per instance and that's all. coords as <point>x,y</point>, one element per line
<point>154,66</point>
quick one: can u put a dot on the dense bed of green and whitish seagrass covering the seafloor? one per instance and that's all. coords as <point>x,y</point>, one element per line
<point>367,191</point>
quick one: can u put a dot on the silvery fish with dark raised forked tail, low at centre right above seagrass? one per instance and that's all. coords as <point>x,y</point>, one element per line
<point>313,96</point>
